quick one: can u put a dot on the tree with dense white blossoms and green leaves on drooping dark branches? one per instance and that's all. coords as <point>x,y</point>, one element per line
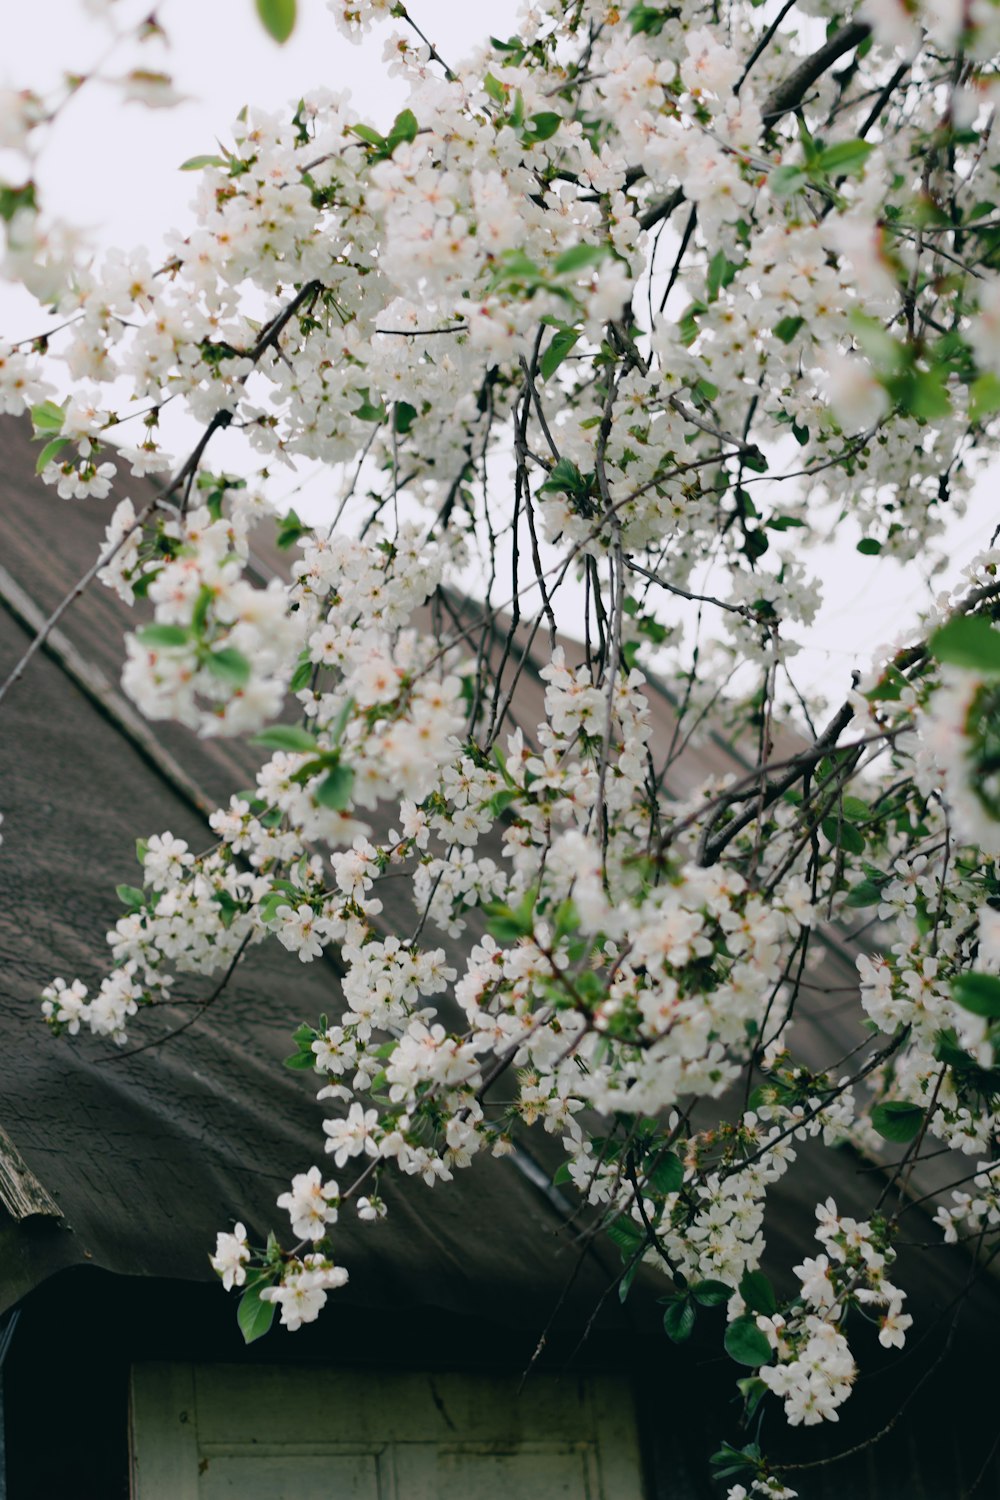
<point>611,326</point>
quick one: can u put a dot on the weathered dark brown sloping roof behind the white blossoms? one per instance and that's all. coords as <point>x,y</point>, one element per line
<point>134,1162</point>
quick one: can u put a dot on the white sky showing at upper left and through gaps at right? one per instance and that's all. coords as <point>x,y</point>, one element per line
<point>113,169</point>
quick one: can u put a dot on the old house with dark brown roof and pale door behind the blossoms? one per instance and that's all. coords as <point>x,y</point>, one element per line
<point>124,1369</point>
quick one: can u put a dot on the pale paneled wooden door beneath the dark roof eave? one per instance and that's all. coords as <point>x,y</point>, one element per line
<point>271,1433</point>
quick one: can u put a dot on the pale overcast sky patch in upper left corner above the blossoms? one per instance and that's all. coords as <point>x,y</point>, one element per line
<point>115,169</point>
